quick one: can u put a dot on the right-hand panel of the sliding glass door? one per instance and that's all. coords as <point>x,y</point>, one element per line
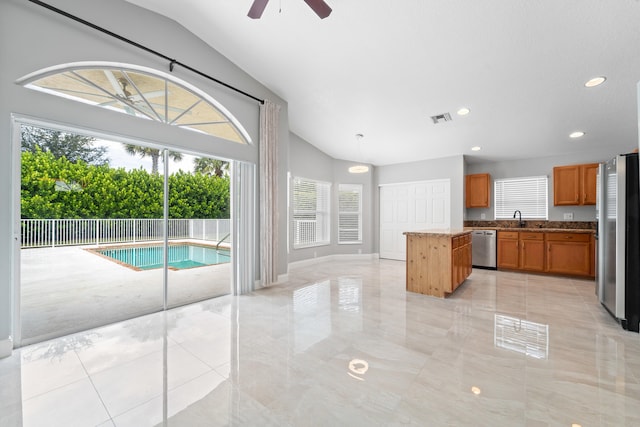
<point>199,230</point>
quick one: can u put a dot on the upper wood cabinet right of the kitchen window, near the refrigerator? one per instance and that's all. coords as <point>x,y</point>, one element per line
<point>575,184</point>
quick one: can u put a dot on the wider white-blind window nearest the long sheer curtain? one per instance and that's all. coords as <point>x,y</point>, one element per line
<point>310,220</point>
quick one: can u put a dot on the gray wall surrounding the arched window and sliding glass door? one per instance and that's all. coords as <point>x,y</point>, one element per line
<point>32,38</point>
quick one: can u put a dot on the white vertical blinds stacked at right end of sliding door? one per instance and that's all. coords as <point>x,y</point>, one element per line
<point>244,227</point>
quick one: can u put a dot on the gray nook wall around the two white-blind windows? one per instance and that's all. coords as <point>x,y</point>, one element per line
<point>306,161</point>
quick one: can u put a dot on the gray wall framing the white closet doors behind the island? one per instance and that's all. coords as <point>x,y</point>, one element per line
<point>452,168</point>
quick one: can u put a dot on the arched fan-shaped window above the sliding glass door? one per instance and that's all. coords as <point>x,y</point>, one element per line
<point>141,92</point>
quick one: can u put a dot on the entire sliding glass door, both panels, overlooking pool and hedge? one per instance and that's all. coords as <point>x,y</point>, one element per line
<point>98,243</point>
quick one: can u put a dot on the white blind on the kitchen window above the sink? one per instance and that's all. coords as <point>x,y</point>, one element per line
<point>529,195</point>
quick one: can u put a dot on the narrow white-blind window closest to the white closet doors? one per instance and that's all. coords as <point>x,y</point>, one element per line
<point>349,213</point>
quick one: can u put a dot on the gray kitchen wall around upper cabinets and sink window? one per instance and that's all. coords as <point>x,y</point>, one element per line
<point>533,167</point>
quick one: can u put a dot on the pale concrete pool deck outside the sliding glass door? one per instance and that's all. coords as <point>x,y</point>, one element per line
<point>69,289</point>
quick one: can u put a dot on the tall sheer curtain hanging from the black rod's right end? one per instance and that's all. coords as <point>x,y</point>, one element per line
<point>269,120</point>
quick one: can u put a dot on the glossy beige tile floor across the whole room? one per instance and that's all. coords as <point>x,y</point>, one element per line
<point>343,344</point>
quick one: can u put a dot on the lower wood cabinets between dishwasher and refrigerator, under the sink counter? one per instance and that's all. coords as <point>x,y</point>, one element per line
<point>551,252</point>
